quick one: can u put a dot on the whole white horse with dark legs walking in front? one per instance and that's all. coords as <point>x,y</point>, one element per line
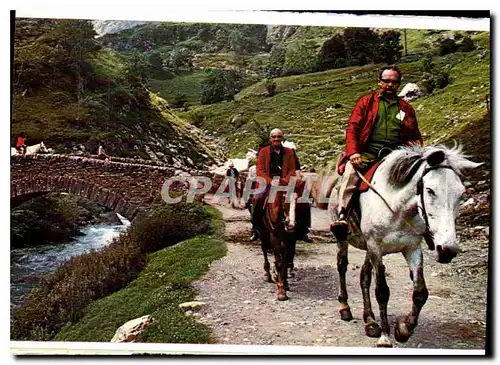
<point>417,196</point>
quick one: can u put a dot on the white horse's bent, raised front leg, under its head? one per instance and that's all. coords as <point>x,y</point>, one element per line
<point>405,325</point>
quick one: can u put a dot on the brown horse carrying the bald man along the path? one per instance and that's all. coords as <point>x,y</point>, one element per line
<point>276,228</point>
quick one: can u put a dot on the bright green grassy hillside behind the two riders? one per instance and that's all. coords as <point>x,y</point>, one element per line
<point>313,109</point>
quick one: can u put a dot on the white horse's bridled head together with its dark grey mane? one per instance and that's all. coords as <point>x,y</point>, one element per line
<point>438,171</point>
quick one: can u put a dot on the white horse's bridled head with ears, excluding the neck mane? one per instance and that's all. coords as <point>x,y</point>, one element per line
<point>439,190</point>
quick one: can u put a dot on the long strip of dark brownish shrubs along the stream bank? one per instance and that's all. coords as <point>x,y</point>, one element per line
<point>62,297</point>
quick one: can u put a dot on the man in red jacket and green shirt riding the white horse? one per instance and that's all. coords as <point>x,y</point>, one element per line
<point>379,120</point>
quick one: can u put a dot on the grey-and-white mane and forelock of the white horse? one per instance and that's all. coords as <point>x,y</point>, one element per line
<point>405,161</point>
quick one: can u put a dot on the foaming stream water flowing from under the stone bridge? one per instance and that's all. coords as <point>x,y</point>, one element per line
<point>28,264</point>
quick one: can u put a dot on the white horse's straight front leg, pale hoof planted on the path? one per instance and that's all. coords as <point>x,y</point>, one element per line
<point>382,294</point>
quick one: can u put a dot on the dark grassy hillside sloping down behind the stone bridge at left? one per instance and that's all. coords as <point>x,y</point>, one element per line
<point>68,91</point>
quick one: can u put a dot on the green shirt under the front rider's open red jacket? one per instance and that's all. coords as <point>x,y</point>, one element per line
<point>386,129</point>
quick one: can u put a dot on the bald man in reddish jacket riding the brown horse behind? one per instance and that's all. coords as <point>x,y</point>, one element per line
<point>274,160</point>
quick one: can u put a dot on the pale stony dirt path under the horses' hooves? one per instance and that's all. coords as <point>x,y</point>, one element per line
<point>242,308</point>
